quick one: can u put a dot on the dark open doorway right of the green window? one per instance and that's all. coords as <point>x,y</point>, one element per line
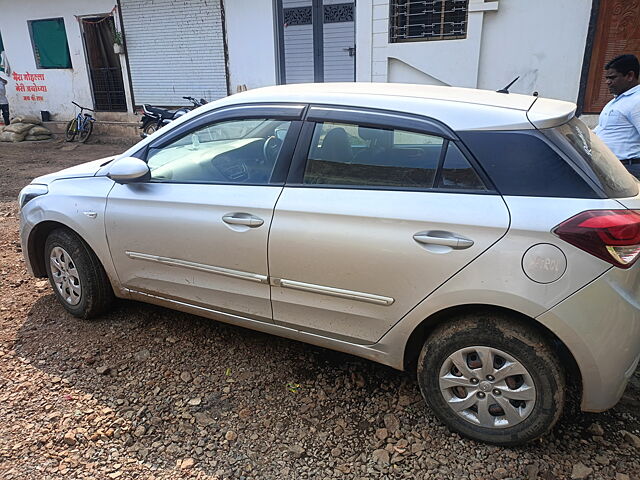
<point>105,70</point>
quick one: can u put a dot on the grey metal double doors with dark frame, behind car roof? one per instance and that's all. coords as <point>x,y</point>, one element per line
<point>316,41</point>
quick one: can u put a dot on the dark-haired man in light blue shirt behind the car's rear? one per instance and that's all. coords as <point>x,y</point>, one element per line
<point>619,123</point>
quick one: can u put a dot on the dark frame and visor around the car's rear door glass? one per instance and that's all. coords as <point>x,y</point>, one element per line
<point>318,114</point>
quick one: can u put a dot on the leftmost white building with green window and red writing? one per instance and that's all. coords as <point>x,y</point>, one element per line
<point>61,52</point>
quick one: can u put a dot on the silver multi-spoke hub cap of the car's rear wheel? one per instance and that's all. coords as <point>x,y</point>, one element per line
<point>487,387</point>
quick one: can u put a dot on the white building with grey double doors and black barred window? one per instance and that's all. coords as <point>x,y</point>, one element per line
<point>556,47</point>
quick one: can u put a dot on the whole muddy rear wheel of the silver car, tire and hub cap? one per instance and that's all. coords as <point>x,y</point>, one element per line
<point>478,400</point>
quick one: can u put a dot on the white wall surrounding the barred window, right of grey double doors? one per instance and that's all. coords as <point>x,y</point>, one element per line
<point>542,41</point>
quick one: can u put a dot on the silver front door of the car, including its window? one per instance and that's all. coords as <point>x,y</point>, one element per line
<point>196,232</point>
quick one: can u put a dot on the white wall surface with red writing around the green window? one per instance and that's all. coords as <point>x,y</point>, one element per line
<point>63,85</point>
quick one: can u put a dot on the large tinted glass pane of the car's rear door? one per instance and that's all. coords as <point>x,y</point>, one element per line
<point>347,154</point>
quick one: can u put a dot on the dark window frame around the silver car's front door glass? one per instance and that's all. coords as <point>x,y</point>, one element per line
<point>290,112</point>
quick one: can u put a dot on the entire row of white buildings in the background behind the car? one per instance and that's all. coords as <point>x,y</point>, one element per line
<point>64,51</point>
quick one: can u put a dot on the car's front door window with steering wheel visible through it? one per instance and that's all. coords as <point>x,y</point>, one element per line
<point>236,151</point>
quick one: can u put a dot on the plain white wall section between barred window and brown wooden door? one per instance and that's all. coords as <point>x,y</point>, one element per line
<point>543,42</point>
